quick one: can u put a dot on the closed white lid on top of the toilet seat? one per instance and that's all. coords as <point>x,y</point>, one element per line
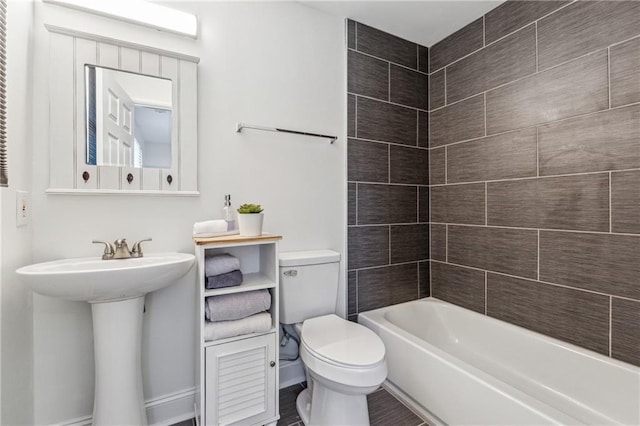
<point>342,342</point>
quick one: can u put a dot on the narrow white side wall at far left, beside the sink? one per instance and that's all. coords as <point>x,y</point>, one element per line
<point>16,303</point>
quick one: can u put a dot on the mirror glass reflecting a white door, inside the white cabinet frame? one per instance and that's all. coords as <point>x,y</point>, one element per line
<point>128,118</point>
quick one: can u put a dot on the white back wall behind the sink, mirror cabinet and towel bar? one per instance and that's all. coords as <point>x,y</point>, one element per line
<point>268,63</point>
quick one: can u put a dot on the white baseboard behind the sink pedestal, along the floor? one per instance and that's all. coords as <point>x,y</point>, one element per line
<point>164,410</point>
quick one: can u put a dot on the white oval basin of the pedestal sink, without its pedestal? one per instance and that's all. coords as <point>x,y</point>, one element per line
<point>91,279</point>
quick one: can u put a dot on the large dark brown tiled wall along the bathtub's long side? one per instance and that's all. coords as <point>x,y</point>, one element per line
<point>535,170</point>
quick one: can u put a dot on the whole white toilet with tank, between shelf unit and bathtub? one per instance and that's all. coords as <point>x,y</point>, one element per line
<point>344,361</point>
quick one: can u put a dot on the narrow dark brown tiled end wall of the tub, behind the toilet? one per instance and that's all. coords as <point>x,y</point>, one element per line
<point>387,169</point>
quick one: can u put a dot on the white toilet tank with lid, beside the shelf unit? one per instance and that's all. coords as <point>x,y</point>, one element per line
<point>308,284</point>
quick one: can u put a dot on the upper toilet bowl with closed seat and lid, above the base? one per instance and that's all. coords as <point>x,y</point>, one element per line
<point>342,351</point>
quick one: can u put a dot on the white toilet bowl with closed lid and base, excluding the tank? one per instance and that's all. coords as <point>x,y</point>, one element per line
<point>345,362</point>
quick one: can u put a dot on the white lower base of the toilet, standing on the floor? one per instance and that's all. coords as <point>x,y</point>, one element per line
<point>328,407</point>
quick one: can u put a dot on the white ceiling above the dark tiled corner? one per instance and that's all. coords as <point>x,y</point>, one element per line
<point>424,22</point>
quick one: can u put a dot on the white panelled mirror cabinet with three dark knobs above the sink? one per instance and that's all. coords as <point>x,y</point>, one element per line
<point>122,117</point>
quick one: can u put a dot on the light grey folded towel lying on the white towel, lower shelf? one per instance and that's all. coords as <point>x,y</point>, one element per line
<point>236,306</point>
